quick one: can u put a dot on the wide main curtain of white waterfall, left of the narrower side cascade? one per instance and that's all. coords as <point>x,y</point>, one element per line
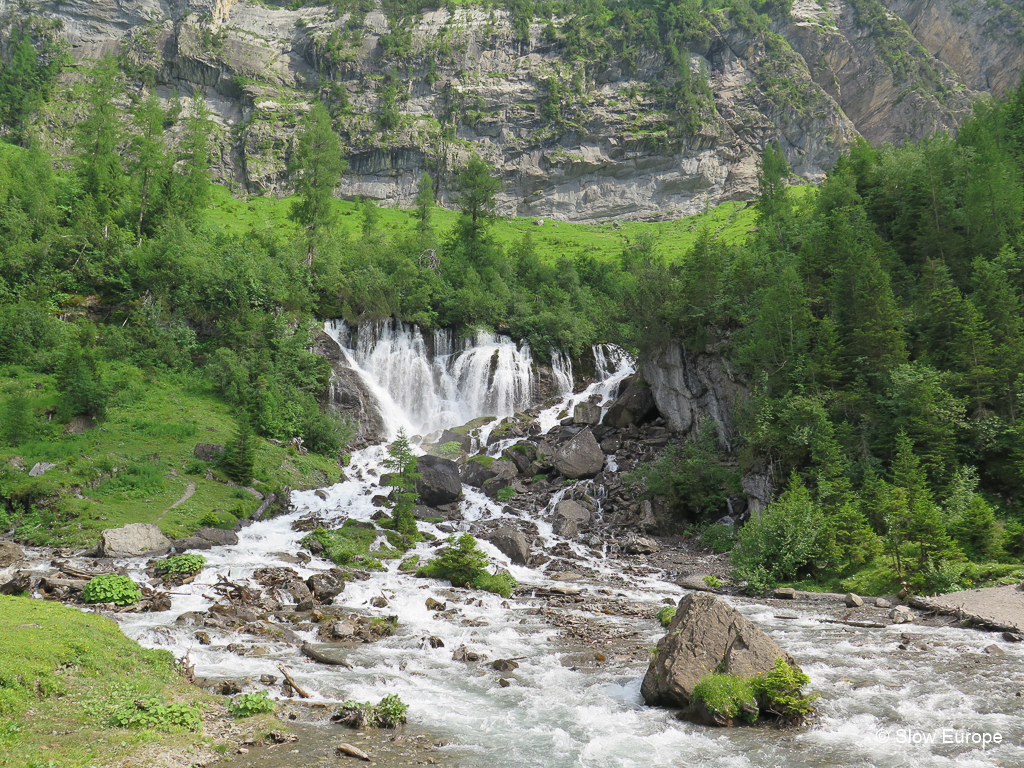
<point>423,389</point>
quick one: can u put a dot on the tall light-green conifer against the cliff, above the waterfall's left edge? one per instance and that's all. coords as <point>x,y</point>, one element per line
<point>316,167</point>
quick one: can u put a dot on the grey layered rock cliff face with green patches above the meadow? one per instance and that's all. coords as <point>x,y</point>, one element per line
<point>573,140</point>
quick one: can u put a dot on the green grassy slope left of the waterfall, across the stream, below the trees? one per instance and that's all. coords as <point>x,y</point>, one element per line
<point>137,465</point>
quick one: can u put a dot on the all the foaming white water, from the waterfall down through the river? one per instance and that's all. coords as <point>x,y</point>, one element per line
<point>879,707</point>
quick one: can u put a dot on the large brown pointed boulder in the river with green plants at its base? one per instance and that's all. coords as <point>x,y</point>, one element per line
<point>707,635</point>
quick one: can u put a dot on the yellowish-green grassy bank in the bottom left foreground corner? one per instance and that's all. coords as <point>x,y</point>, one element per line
<point>66,675</point>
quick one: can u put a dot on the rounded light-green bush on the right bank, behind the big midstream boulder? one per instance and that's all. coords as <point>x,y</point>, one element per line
<point>776,545</point>
